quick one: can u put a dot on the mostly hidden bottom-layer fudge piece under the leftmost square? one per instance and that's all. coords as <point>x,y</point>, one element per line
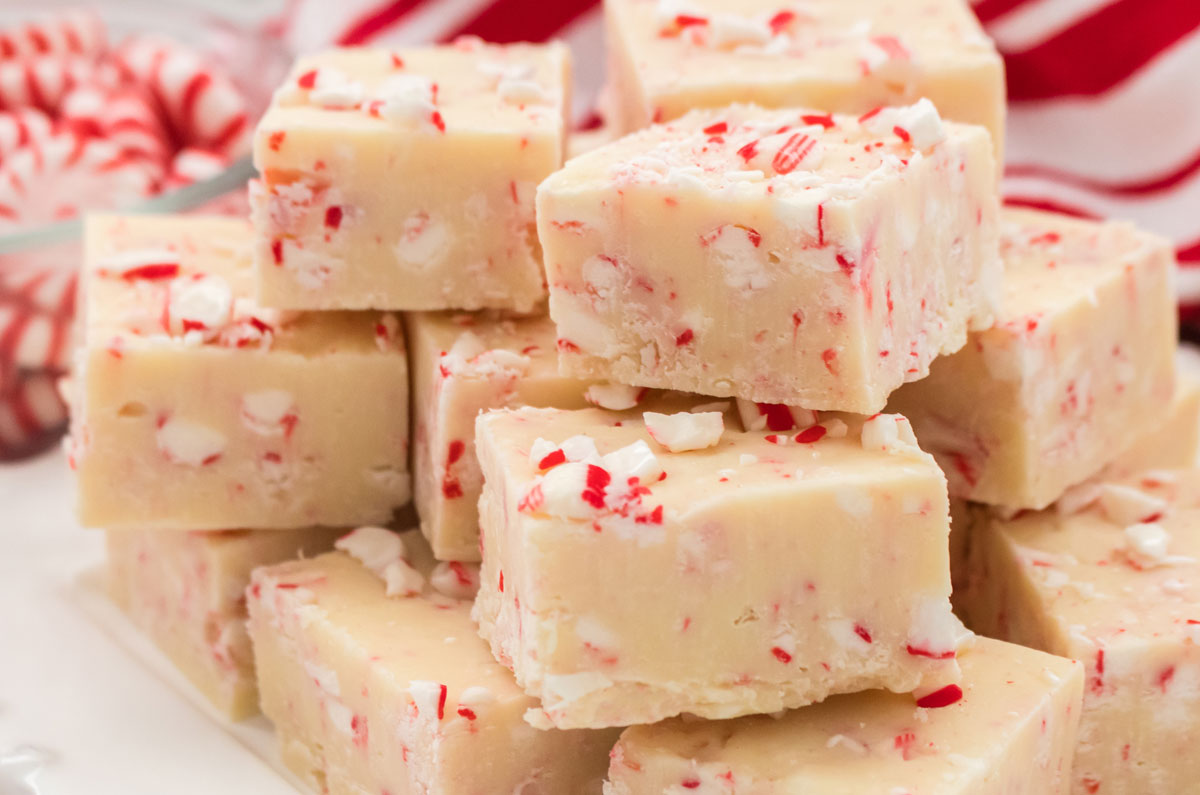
<point>185,591</point>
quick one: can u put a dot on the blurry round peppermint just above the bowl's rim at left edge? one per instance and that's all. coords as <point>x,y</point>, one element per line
<point>68,174</point>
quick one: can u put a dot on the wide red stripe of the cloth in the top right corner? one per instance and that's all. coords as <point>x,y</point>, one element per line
<point>1101,51</point>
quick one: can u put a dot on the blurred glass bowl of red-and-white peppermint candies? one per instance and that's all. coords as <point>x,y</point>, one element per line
<point>128,105</point>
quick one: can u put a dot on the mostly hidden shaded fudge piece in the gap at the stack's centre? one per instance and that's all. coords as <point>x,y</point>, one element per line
<point>464,364</point>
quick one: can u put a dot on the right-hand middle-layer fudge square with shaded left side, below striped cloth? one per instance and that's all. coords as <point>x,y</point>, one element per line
<point>1079,364</point>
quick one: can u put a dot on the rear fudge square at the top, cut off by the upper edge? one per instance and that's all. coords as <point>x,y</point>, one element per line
<point>669,57</point>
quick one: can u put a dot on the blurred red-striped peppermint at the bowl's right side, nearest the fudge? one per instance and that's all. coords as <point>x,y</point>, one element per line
<point>202,104</point>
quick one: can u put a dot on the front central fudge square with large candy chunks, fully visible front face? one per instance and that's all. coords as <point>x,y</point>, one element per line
<point>639,569</point>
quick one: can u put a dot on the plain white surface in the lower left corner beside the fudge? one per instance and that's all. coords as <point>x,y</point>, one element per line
<point>87,706</point>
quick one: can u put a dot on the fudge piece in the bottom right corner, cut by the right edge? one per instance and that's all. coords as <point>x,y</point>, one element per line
<point>1109,578</point>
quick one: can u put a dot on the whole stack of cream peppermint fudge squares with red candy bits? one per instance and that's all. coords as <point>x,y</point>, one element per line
<point>685,421</point>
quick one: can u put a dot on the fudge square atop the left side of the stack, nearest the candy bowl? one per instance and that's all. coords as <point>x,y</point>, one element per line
<point>405,180</point>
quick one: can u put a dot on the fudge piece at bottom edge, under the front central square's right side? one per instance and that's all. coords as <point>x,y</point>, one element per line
<point>1011,730</point>
